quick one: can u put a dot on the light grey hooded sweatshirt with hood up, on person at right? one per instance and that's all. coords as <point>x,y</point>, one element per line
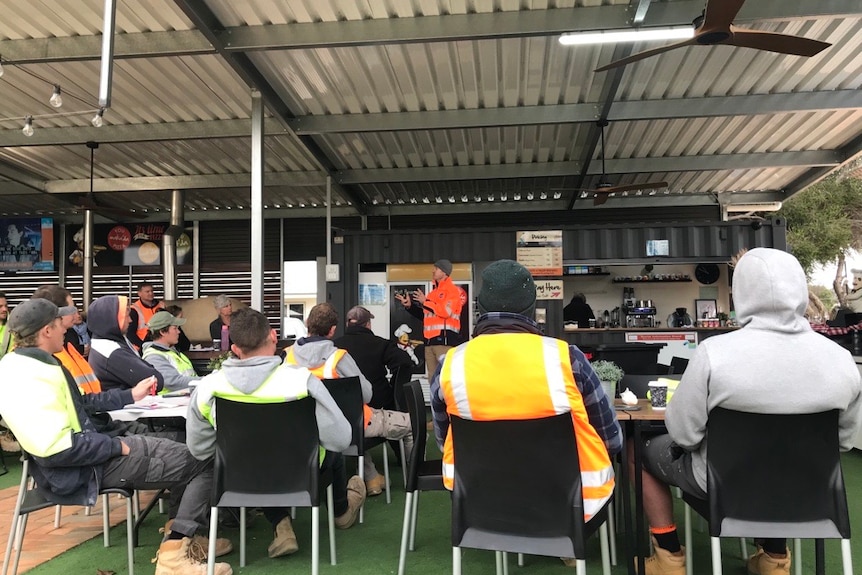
<point>775,364</point>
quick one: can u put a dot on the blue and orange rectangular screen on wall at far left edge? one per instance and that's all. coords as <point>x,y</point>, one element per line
<point>26,244</point>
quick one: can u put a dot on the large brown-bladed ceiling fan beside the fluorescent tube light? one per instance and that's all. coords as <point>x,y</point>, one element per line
<point>715,26</point>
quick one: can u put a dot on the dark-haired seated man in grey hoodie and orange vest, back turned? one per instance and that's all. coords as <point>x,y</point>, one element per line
<point>319,354</point>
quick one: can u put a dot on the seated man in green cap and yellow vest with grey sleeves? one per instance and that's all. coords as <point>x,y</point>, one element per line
<point>162,354</point>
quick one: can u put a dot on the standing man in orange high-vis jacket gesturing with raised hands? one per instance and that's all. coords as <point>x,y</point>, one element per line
<point>440,312</point>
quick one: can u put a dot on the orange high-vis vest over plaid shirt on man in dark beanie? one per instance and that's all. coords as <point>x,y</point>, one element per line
<point>523,376</point>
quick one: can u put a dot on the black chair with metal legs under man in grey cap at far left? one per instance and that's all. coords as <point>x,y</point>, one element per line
<point>31,498</point>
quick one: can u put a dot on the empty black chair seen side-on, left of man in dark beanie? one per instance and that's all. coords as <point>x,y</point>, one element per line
<point>422,474</point>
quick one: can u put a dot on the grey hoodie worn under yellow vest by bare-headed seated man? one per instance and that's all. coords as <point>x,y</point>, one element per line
<point>247,375</point>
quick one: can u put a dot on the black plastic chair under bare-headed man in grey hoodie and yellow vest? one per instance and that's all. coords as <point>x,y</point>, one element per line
<point>268,455</point>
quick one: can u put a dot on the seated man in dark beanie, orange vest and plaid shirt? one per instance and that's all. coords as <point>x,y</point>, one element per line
<point>509,370</point>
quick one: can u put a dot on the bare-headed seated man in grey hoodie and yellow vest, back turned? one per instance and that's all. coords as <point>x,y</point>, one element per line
<point>257,372</point>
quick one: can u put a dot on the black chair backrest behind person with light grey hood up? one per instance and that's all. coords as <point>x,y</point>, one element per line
<point>775,475</point>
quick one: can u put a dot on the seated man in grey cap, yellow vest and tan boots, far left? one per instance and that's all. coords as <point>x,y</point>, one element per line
<point>71,459</point>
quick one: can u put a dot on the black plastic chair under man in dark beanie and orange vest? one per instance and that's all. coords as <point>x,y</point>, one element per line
<point>518,489</point>
